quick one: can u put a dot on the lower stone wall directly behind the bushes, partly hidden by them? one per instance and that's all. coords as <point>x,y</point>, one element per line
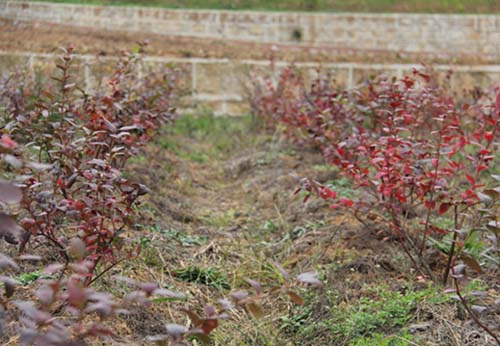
<point>220,84</point>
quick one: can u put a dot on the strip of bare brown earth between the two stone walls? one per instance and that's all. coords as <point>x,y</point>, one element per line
<point>41,37</point>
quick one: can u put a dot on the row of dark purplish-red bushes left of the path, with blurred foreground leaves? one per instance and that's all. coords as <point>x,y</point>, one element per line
<point>67,205</point>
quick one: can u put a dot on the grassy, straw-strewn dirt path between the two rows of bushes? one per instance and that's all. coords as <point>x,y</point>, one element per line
<point>221,208</point>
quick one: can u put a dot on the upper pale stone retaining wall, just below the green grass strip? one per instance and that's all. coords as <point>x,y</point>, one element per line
<point>416,33</point>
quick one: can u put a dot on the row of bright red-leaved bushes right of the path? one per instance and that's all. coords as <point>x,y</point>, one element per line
<point>416,153</point>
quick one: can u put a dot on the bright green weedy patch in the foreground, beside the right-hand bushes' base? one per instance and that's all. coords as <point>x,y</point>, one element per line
<point>377,318</point>
